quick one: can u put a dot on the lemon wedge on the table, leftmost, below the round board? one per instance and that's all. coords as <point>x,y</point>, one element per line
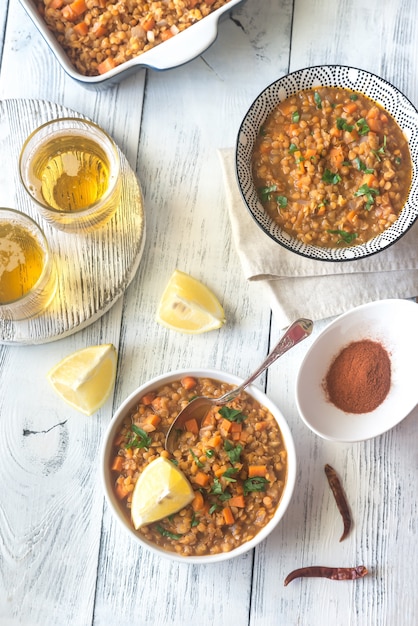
<point>85,378</point>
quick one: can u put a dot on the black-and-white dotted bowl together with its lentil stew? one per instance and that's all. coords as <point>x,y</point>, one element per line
<point>326,163</point>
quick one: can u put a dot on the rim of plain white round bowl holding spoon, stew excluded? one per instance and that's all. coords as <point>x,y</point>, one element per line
<point>127,406</point>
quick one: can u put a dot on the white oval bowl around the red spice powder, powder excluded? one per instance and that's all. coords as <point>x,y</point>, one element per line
<point>393,324</point>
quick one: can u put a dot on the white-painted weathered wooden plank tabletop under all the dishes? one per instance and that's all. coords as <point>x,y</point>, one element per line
<point>63,559</point>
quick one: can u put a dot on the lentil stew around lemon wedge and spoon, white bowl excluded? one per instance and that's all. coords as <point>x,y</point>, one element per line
<point>239,466</point>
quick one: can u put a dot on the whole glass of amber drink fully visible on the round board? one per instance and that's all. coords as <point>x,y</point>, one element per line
<point>71,169</point>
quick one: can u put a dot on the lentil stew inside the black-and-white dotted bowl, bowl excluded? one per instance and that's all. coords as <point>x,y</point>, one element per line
<point>332,167</point>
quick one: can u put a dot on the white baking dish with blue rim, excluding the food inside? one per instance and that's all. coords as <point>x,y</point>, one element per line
<point>182,48</point>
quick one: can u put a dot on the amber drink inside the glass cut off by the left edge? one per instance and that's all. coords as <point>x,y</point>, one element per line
<point>21,262</point>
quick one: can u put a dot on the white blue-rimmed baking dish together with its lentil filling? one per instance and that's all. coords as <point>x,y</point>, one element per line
<point>99,42</point>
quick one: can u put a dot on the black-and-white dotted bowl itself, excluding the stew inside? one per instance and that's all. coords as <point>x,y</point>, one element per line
<point>376,88</point>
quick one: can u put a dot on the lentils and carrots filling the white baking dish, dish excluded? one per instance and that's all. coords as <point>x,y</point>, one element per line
<point>98,35</point>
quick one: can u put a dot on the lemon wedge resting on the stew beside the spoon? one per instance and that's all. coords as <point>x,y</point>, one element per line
<point>161,490</point>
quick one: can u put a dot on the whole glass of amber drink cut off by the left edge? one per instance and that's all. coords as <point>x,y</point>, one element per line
<point>27,271</point>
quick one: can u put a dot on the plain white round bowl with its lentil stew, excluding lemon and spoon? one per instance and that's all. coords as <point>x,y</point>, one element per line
<point>241,465</point>
